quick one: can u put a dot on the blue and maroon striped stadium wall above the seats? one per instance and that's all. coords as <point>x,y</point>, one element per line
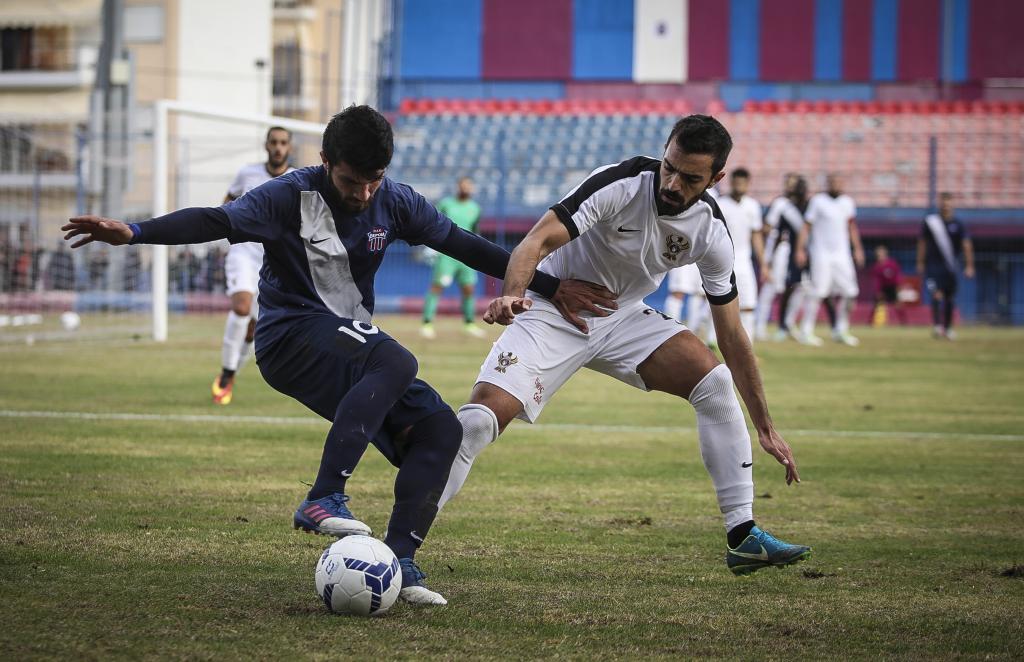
<point>742,50</point>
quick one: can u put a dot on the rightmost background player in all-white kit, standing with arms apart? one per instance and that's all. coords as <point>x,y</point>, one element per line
<point>826,240</point>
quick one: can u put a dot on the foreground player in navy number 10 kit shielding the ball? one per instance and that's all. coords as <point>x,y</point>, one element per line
<point>325,230</point>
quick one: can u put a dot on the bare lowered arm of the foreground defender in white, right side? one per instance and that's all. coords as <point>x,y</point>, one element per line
<point>739,356</point>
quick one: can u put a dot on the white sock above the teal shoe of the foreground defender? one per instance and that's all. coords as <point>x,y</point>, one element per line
<point>726,445</point>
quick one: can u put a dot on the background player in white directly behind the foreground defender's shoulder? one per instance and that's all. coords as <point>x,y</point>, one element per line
<point>743,216</point>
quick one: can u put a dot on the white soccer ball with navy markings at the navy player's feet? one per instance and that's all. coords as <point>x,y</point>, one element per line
<point>359,575</point>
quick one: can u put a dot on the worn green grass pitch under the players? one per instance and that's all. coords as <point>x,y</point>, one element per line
<point>174,540</point>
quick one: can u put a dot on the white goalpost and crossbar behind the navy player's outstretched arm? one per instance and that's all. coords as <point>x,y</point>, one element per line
<point>190,114</point>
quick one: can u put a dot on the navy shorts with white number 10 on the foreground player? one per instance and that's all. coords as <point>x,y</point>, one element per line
<point>316,359</point>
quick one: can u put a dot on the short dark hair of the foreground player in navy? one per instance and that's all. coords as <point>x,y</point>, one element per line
<point>362,138</point>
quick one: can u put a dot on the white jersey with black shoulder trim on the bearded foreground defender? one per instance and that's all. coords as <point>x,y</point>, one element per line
<point>622,242</point>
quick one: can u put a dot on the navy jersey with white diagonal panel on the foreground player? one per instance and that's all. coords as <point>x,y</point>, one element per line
<point>318,258</point>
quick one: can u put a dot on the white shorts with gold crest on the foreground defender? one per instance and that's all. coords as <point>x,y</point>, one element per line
<point>541,351</point>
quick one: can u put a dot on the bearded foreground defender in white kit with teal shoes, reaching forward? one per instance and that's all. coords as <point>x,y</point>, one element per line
<point>624,228</point>
